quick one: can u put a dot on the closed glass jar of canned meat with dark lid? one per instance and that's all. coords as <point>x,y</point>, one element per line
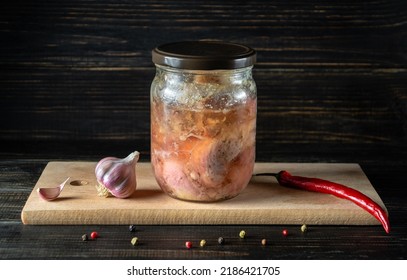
<point>203,119</point>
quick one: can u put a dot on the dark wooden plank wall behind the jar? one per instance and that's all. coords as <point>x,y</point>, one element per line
<point>328,72</point>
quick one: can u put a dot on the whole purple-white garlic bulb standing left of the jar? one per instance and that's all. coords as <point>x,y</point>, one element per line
<point>117,176</point>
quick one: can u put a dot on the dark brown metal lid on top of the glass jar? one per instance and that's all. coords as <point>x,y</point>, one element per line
<point>204,55</point>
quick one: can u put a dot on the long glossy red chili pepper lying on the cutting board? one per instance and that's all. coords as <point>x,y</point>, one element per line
<point>323,186</point>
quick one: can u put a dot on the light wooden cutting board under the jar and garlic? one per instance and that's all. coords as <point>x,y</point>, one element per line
<point>264,201</point>
